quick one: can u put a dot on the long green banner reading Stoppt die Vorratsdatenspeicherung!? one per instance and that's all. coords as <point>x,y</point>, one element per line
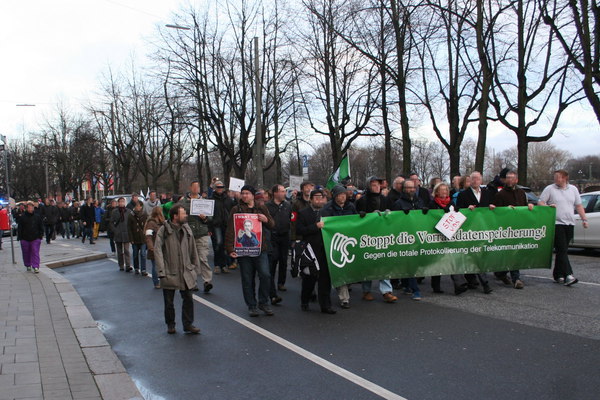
<point>399,245</point>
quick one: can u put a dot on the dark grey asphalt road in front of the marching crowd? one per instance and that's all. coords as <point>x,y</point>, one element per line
<point>536,343</point>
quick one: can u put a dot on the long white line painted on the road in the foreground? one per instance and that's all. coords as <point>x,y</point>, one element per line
<point>360,381</point>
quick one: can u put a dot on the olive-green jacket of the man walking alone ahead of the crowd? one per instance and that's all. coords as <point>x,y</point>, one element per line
<point>176,258</point>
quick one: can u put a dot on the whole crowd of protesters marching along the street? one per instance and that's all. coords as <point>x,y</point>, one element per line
<point>161,232</point>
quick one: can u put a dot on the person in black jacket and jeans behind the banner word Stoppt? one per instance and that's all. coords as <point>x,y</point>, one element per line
<point>373,201</point>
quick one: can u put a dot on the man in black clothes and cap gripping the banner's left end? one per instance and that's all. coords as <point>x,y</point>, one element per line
<point>309,227</point>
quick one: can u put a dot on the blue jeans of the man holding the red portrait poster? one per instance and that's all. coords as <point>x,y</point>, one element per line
<point>249,267</point>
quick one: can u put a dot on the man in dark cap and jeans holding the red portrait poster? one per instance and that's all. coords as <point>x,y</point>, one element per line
<point>251,266</point>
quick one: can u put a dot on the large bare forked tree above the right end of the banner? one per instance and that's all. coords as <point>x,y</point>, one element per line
<point>530,82</point>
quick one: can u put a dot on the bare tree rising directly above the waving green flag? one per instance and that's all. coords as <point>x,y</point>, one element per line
<point>340,84</point>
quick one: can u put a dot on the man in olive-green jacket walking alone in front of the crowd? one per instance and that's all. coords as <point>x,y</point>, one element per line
<point>177,265</point>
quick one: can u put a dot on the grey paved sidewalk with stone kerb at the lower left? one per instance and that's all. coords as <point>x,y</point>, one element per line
<point>50,346</point>
